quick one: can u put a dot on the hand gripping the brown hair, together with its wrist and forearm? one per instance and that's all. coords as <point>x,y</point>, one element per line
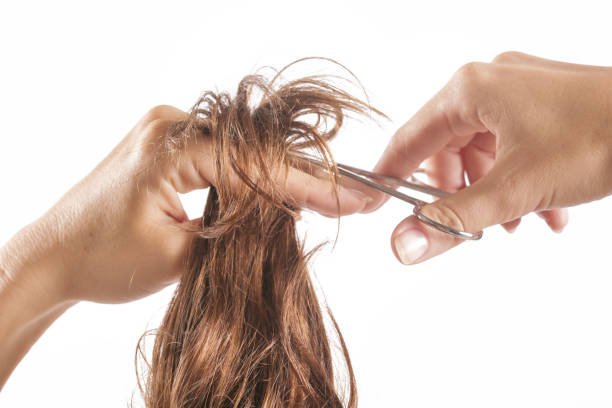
<point>119,234</point>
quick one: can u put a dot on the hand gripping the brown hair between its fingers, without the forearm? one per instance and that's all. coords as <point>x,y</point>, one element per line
<point>116,235</point>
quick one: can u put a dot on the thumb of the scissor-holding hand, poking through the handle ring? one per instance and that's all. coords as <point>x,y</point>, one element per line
<point>490,200</point>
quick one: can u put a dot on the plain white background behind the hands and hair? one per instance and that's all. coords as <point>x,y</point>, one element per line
<point>513,320</point>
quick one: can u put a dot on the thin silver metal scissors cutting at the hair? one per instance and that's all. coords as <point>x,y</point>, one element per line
<point>367,177</point>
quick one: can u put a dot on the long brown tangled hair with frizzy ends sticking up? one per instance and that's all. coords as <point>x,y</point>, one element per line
<point>244,328</point>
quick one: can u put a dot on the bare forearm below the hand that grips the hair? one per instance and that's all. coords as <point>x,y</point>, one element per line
<point>30,294</point>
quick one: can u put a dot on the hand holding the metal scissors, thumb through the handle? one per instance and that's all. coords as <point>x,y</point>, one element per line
<point>529,133</point>
